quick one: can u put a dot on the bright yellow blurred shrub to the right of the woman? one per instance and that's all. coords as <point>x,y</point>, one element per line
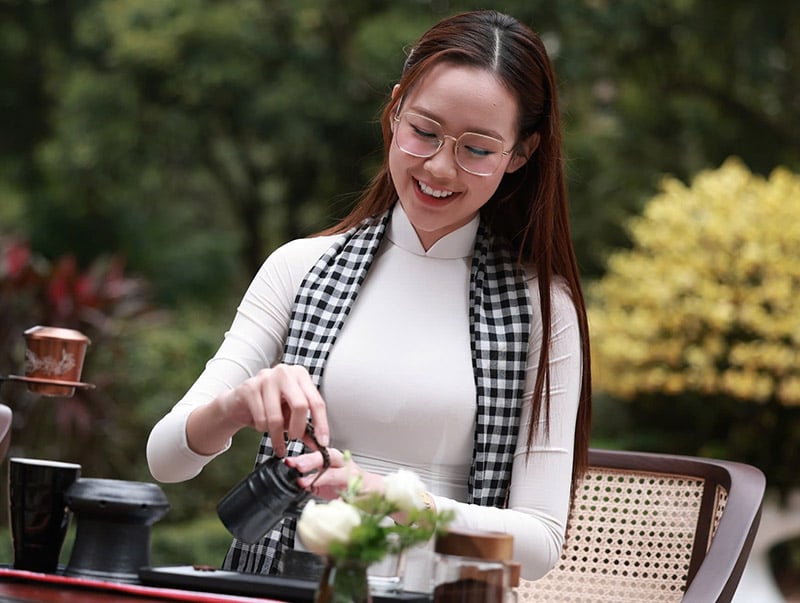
<point>707,300</point>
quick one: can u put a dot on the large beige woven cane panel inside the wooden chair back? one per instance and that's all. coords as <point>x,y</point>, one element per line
<point>629,539</point>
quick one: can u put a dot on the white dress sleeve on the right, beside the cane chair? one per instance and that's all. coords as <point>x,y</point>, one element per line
<point>539,497</point>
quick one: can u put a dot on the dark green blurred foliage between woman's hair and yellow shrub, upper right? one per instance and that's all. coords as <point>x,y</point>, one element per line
<point>671,87</point>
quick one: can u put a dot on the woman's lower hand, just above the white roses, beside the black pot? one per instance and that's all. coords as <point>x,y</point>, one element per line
<point>333,480</point>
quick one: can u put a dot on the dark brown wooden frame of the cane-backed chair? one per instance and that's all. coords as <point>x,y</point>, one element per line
<point>714,574</point>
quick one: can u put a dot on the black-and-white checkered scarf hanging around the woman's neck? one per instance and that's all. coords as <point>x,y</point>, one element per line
<point>500,320</point>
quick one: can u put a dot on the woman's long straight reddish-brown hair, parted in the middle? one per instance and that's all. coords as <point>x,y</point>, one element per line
<point>529,208</point>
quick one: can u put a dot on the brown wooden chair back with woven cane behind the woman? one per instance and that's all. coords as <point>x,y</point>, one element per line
<point>655,527</point>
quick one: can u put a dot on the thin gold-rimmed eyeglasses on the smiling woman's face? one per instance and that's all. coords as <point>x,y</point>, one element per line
<point>420,136</point>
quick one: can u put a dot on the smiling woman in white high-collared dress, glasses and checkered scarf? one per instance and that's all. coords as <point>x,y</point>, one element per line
<point>439,327</point>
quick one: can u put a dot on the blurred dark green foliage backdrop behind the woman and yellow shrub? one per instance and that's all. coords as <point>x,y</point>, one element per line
<point>189,138</point>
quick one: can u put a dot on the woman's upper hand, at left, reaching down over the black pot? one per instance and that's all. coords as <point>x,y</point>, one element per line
<point>276,400</point>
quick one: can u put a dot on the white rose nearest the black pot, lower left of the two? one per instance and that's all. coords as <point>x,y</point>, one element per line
<point>320,525</point>
